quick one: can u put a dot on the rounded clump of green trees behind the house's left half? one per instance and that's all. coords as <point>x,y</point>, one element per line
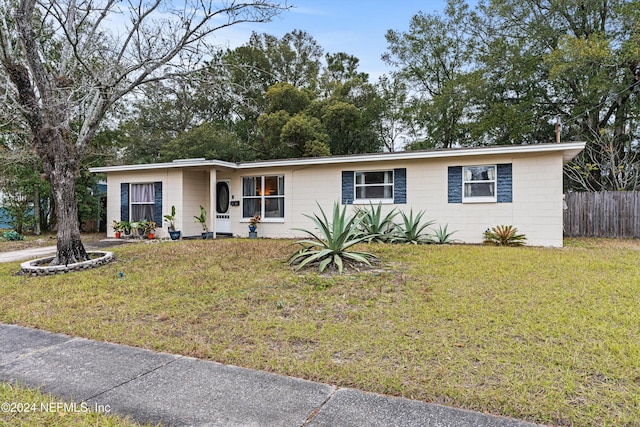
<point>253,91</point>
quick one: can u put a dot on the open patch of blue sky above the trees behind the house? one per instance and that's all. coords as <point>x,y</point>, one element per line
<point>356,27</point>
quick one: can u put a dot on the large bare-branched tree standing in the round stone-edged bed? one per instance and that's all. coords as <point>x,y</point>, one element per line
<point>70,61</point>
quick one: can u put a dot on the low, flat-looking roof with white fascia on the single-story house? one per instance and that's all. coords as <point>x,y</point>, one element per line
<point>569,151</point>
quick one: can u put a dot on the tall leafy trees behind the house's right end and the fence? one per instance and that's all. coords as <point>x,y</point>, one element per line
<point>502,73</point>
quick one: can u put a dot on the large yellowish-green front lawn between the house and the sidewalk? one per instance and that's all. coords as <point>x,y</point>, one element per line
<point>545,335</point>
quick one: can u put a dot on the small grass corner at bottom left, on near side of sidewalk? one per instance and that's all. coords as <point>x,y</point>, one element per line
<point>29,407</point>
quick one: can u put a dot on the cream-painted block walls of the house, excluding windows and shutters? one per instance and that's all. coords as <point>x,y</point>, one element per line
<point>535,207</point>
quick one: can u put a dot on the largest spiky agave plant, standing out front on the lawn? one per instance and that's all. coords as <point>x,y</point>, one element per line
<point>330,245</point>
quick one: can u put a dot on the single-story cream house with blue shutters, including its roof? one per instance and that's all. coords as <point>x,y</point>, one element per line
<point>470,189</point>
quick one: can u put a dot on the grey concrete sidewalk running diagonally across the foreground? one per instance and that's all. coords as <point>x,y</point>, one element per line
<point>176,390</point>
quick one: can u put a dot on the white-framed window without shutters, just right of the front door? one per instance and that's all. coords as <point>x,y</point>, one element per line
<point>263,195</point>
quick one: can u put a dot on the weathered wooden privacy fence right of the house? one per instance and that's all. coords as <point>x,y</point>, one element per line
<point>602,214</point>
